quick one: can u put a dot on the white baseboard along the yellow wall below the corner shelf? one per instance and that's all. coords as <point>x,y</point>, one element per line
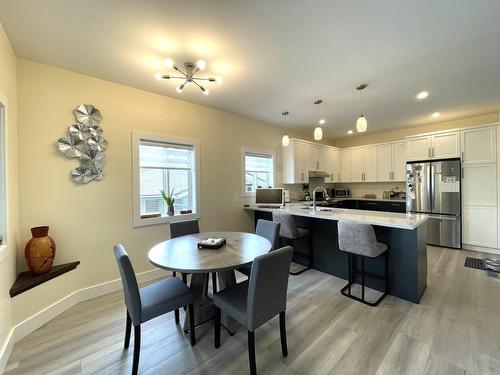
<point>44,316</point>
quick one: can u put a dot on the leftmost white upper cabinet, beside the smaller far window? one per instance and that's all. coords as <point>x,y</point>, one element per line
<point>295,168</point>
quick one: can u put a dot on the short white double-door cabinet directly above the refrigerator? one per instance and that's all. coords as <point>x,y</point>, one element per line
<point>436,146</point>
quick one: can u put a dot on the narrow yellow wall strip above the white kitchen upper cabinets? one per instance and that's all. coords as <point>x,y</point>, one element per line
<point>394,135</point>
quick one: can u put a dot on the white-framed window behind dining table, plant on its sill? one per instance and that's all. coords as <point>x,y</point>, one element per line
<point>168,164</point>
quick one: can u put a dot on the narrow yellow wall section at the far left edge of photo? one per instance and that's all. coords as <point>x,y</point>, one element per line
<point>8,256</point>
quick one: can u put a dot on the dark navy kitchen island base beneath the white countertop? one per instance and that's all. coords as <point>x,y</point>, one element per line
<point>407,255</point>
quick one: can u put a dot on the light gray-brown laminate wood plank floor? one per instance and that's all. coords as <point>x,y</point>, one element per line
<point>454,330</point>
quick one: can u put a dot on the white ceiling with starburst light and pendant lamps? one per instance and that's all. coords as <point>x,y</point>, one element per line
<point>277,55</point>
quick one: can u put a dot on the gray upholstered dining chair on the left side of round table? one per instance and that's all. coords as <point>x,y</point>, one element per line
<point>150,301</point>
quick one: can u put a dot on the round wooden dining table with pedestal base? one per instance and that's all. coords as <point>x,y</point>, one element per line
<point>183,255</point>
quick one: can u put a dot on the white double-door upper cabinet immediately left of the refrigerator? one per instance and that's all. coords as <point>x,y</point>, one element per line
<point>391,162</point>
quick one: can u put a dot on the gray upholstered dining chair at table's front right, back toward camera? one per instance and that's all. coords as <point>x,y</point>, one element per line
<point>255,301</point>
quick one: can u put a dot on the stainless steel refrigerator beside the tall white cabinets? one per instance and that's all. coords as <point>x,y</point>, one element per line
<point>433,188</point>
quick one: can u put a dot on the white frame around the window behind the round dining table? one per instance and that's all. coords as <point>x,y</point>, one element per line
<point>137,137</point>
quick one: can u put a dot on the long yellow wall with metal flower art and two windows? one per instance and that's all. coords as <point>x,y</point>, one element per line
<point>87,220</point>
